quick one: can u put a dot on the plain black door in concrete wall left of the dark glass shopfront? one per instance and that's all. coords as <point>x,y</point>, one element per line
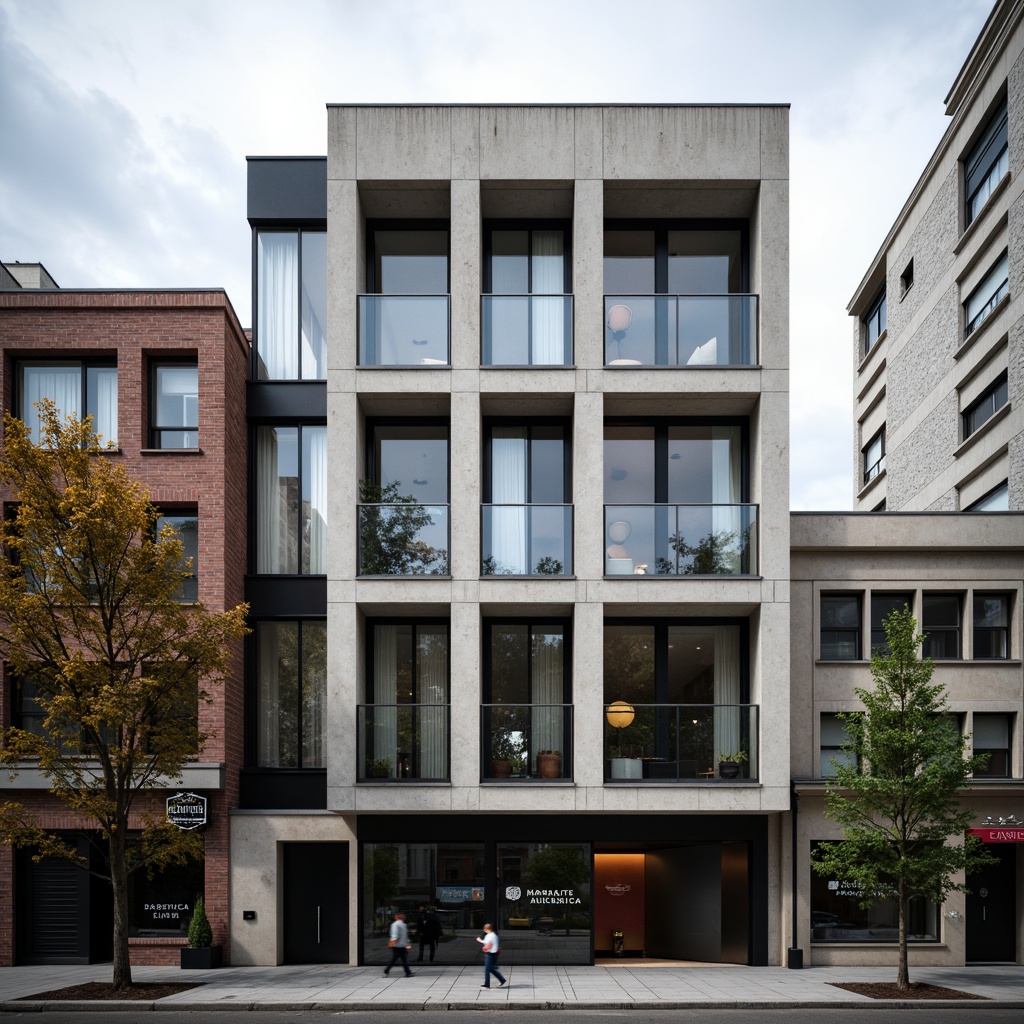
<point>316,903</point>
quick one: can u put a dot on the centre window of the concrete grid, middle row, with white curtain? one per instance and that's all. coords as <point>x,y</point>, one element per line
<point>528,519</point>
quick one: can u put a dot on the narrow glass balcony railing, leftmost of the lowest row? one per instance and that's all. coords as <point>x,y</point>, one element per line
<point>404,742</point>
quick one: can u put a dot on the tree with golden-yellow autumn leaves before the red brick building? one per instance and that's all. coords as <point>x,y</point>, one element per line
<point>90,616</point>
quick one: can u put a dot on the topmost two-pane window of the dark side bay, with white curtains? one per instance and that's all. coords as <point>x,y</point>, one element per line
<point>291,315</point>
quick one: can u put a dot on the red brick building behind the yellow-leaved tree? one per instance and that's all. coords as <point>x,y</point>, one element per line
<point>163,375</point>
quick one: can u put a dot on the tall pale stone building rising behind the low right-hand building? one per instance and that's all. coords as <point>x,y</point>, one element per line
<point>940,316</point>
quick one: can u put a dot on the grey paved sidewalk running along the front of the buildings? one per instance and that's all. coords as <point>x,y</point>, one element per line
<point>337,988</point>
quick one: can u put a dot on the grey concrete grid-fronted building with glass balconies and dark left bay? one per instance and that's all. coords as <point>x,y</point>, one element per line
<point>531,364</point>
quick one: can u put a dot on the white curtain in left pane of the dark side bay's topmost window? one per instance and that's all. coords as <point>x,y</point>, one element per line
<point>277,314</point>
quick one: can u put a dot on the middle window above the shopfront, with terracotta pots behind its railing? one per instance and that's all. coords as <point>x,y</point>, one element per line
<point>527,701</point>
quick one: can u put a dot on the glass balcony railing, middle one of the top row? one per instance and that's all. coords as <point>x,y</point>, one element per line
<point>527,330</point>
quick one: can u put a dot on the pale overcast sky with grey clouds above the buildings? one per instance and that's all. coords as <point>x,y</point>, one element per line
<point>124,129</point>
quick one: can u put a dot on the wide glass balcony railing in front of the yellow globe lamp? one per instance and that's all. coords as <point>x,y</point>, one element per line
<point>681,743</point>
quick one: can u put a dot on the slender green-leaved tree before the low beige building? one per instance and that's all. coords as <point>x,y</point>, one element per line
<point>898,787</point>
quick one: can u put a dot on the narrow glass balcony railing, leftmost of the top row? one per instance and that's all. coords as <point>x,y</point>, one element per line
<point>404,330</point>
